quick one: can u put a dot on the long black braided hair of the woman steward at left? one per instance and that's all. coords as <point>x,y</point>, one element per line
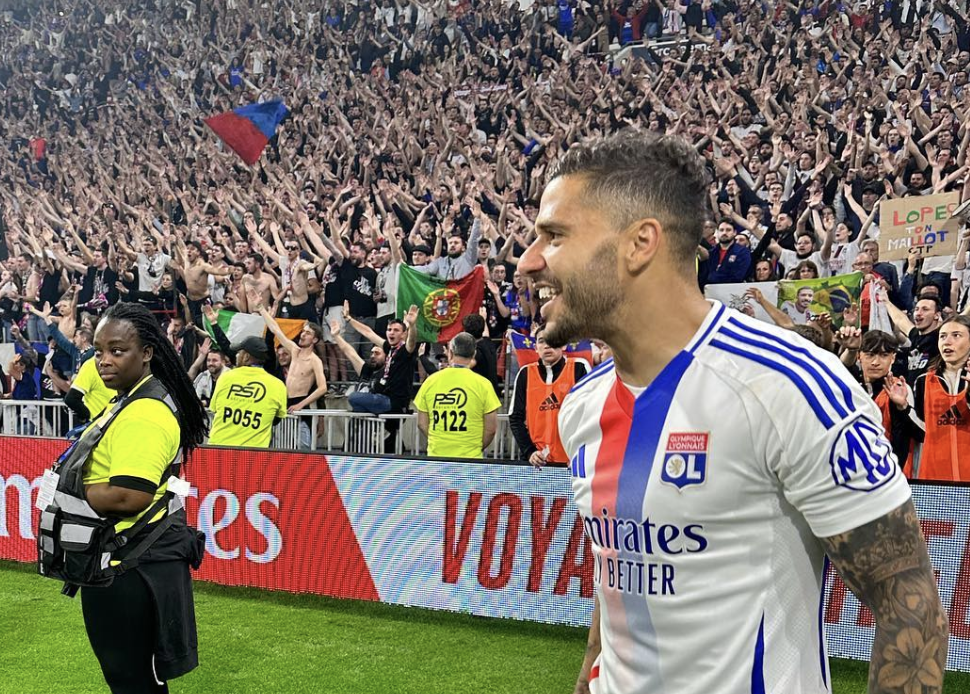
<point>167,367</point>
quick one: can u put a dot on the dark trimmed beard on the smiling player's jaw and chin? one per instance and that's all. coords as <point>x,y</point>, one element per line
<point>587,302</point>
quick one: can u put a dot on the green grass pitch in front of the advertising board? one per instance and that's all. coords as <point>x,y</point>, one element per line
<point>264,642</point>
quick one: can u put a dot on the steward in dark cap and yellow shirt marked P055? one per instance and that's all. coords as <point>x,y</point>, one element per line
<point>248,401</point>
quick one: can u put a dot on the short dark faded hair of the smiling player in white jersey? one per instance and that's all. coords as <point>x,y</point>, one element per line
<point>634,175</point>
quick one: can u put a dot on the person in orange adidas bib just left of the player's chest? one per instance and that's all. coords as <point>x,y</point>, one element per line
<point>539,391</point>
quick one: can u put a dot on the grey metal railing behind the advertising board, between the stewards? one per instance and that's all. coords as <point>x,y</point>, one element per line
<point>335,431</point>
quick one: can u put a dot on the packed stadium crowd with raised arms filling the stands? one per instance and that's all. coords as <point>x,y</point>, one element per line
<point>421,133</point>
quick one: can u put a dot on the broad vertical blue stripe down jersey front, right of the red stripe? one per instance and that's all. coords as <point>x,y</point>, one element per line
<point>649,416</point>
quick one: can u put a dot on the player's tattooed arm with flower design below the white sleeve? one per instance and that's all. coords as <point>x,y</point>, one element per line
<point>885,563</point>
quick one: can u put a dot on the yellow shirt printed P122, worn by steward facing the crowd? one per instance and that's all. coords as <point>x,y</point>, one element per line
<point>456,401</point>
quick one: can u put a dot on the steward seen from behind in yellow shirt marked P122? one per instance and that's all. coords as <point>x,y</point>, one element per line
<point>457,408</point>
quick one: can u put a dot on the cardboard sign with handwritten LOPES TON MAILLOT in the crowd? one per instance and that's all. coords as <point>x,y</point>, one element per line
<point>921,221</point>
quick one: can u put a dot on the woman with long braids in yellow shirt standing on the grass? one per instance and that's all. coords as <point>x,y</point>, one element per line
<point>142,626</point>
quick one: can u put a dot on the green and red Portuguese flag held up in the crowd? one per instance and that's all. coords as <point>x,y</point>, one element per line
<point>442,304</point>
